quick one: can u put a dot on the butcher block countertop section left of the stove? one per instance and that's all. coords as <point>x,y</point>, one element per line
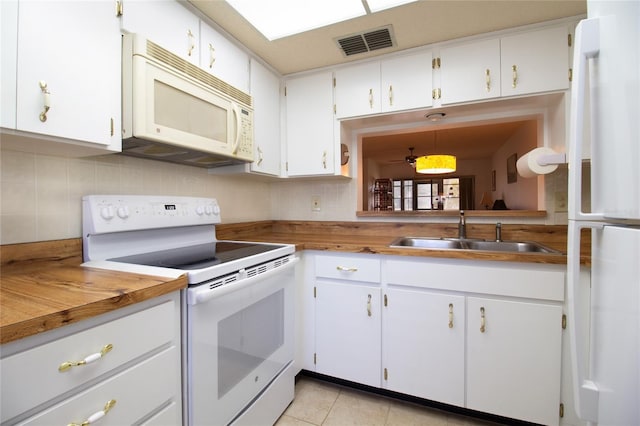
<point>43,287</point>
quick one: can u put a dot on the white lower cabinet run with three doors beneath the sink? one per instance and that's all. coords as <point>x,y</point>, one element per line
<point>486,336</point>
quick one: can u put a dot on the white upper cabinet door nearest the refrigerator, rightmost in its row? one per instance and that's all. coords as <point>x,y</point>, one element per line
<point>535,61</point>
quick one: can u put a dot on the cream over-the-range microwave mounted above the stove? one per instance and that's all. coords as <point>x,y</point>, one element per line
<point>174,111</point>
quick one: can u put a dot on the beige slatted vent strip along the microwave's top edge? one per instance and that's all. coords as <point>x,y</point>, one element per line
<point>163,55</point>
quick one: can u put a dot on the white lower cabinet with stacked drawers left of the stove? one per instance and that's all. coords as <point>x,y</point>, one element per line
<point>132,373</point>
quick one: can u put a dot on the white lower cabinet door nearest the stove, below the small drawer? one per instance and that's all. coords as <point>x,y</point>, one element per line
<point>348,330</point>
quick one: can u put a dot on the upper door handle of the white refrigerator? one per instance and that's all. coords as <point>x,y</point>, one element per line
<point>587,46</point>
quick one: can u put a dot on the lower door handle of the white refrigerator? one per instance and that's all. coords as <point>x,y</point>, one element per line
<point>585,390</point>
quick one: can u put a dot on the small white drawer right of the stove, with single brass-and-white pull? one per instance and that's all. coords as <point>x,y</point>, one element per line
<point>350,268</point>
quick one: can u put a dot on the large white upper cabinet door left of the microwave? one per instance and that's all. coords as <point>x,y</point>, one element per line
<point>69,56</point>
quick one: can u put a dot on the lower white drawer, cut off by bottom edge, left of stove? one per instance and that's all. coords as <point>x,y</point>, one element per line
<point>138,392</point>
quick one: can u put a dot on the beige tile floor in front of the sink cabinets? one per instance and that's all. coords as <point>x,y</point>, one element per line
<point>320,403</point>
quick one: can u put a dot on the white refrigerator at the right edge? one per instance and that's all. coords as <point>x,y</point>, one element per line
<point>605,335</point>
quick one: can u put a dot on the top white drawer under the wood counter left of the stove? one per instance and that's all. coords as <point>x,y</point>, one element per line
<point>32,377</point>
